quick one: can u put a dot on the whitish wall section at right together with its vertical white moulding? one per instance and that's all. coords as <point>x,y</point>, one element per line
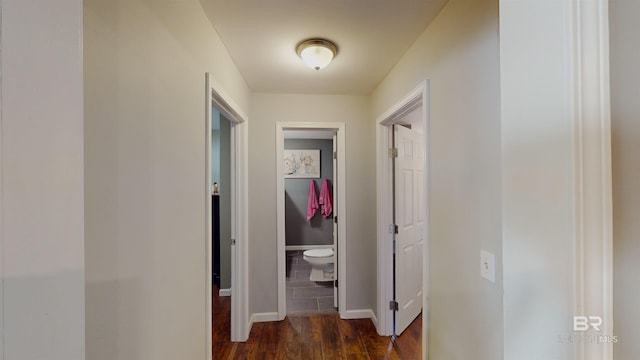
<point>556,177</point>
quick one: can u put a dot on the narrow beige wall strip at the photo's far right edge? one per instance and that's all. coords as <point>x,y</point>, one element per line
<point>625,57</point>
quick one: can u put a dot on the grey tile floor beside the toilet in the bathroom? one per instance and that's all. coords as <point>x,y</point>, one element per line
<point>303,295</point>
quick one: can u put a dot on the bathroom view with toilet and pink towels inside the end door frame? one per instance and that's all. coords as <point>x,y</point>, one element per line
<point>310,229</point>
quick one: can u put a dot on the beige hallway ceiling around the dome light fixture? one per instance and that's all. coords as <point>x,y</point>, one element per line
<point>371,35</point>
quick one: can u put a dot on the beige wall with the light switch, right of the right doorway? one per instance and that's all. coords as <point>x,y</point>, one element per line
<point>459,54</point>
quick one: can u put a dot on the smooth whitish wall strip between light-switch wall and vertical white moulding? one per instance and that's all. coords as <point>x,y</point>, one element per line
<point>537,208</point>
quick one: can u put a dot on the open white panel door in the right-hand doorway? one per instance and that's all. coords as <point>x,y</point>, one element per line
<point>410,218</point>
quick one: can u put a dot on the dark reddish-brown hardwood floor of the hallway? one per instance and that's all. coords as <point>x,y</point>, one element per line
<point>311,337</point>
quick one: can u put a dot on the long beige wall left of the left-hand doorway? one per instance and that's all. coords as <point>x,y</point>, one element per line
<point>145,64</point>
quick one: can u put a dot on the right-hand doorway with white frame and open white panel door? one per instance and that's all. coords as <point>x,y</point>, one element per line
<point>403,216</point>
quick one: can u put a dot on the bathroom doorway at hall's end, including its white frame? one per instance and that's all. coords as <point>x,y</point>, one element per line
<point>311,237</point>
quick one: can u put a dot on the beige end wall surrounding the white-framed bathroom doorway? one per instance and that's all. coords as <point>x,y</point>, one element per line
<point>266,110</point>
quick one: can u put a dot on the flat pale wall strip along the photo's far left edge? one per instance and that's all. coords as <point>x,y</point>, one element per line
<point>42,228</point>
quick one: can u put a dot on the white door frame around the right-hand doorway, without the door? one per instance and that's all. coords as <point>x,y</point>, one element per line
<point>419,96</point>
